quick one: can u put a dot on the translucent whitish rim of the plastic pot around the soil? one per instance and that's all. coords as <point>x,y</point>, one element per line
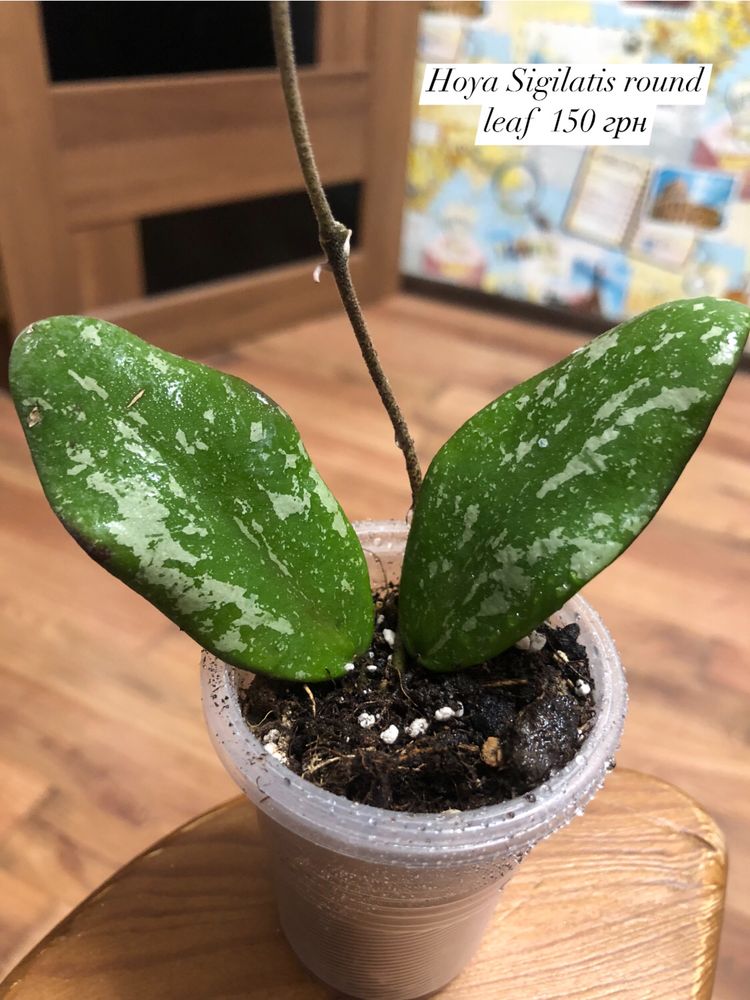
<point>363,830</point>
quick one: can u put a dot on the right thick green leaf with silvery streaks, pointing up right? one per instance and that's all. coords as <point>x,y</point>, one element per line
<point>543,488</point>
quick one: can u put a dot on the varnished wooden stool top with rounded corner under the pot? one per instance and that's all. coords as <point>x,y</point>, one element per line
<point>625,902</point>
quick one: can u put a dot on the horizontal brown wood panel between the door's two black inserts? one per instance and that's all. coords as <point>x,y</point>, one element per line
<point>160,144</point>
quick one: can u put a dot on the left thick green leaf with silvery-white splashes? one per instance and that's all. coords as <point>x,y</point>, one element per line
<point>193,488</point>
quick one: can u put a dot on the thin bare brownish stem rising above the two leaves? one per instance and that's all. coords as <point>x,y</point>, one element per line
<point>334,236</point>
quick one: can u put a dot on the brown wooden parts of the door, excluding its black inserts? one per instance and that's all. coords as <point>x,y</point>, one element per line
<point>82,163</point>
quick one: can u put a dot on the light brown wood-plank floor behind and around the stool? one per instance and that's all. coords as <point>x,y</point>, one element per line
<point>102,748</point>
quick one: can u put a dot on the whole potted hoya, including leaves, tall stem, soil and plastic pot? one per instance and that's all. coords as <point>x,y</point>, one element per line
<point>404,756</point>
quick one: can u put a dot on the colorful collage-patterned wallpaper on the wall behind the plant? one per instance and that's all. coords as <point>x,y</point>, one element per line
<point>609,231</point>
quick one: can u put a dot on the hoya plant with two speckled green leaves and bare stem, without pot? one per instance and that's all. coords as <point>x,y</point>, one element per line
<point>195,489</point>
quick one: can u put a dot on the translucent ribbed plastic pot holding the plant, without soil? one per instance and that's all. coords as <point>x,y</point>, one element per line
<point>385,905</point>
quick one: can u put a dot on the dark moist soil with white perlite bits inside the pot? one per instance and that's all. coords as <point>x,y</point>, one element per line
<point>513,721</point>
